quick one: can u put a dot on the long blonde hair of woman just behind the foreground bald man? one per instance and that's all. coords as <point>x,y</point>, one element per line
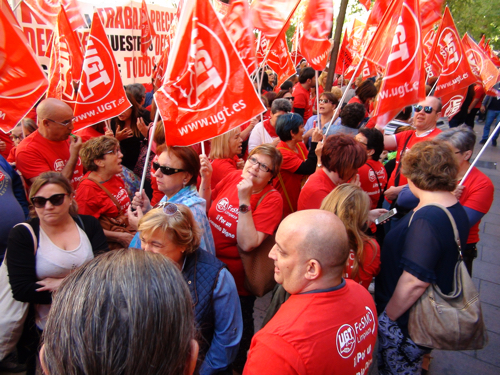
<point>351,204</point>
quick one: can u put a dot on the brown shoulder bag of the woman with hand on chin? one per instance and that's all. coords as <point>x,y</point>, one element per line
<point>259,268</point>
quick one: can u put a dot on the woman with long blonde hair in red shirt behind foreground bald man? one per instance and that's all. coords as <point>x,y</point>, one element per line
<point>351,204</point>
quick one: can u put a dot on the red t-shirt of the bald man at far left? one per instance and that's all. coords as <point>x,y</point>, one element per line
<point>36,154</point>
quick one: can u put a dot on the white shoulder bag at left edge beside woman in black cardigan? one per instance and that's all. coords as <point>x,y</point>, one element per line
<point>12,312</point>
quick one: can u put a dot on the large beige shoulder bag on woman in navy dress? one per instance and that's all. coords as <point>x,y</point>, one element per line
<point>449,321</point>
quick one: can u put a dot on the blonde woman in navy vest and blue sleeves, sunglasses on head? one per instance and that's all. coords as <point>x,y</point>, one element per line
<point>173,232</point>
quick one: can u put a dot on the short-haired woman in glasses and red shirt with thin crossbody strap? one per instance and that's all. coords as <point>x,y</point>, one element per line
<point>101,193</point>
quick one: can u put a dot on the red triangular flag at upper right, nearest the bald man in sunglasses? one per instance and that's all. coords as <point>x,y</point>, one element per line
<point>448,53</point>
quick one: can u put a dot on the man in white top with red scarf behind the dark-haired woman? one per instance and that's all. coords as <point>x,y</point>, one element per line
<point>264,132</point>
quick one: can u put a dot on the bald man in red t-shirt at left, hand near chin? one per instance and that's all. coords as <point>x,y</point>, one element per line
<point>50,148</point>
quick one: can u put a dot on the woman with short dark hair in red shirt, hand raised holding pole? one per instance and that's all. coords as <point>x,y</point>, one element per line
<point>298,163</point>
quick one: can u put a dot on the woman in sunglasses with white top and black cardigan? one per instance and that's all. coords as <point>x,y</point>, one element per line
<point>65,241</point>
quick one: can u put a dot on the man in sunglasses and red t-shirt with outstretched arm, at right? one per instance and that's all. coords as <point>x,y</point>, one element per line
<point>427,113</point>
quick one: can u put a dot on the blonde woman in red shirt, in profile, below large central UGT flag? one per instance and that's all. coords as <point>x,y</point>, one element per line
<point>224,154</point>
